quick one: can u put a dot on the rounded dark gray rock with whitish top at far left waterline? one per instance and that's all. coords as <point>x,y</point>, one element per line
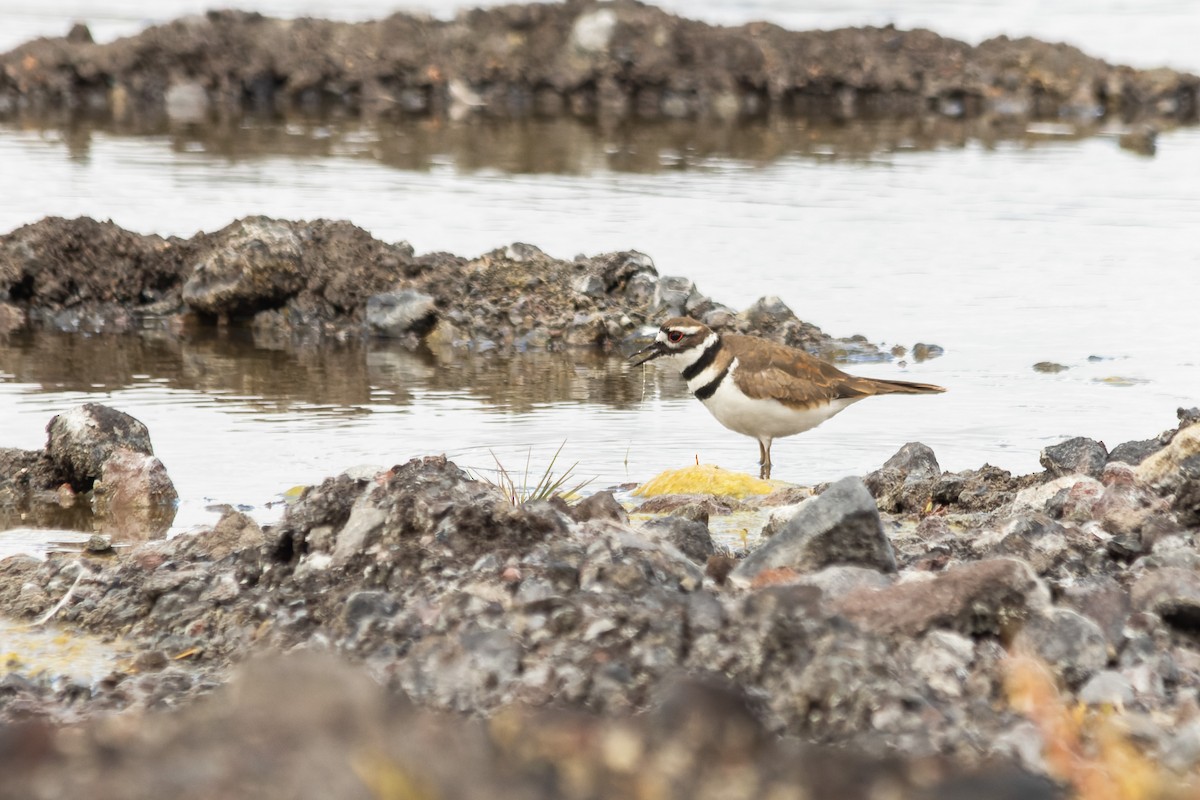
<point>82,440</point>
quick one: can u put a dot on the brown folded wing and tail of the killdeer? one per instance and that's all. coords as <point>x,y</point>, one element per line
<point>799,380</point>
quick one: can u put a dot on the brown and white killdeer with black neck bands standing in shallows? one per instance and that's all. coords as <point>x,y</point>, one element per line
<point>759,388</point>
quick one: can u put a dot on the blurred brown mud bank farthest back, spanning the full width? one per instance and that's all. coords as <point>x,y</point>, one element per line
<point>610,61</point>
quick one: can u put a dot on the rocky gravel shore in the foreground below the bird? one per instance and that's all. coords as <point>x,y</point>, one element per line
<point>911,617</point>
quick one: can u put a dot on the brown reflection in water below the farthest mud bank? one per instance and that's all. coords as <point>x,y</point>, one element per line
<point>562,147</point>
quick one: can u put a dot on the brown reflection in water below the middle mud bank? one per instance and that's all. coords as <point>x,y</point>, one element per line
<point>233,366</point>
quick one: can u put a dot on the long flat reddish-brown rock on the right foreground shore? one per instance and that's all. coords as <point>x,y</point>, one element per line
<point>981,598</point>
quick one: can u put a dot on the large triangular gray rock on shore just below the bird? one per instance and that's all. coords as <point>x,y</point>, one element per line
<point>839,527</point>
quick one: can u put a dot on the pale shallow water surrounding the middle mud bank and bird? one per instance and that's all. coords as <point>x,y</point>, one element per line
<point>1006,250</point>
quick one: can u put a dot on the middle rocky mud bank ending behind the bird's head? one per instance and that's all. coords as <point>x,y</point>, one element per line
<point>292,281</point>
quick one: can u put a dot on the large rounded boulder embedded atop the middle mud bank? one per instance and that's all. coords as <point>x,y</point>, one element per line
<point>259,266</point>
